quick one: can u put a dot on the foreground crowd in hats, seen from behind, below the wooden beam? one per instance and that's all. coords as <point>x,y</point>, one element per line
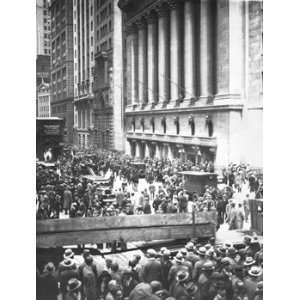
<point>204,271</point>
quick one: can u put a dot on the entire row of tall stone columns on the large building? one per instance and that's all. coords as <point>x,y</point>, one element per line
<point>155,47</point>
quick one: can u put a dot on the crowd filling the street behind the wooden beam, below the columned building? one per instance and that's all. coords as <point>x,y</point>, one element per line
<point>62,189</point>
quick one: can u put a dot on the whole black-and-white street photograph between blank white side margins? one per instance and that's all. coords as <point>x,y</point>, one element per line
<point>149,149</point>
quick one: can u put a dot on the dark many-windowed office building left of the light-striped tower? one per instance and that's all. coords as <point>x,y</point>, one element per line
<point>62,74</point>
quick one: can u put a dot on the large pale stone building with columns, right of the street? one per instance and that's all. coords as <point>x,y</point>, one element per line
<point>193,79</point>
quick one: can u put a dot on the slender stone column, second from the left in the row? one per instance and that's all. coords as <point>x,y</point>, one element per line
<point>142,62</point>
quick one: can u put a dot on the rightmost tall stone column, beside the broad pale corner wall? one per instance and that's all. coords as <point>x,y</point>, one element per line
<point>206,61</point>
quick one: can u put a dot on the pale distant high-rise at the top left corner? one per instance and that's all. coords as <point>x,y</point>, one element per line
<point>43,27</point>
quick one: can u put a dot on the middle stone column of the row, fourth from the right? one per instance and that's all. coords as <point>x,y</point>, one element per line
<point>163,54</point>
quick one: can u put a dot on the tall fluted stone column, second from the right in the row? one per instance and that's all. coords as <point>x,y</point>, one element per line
<point>189,49</point>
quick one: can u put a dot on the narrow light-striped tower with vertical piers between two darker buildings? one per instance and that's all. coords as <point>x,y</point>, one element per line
<point>83,39</point>
